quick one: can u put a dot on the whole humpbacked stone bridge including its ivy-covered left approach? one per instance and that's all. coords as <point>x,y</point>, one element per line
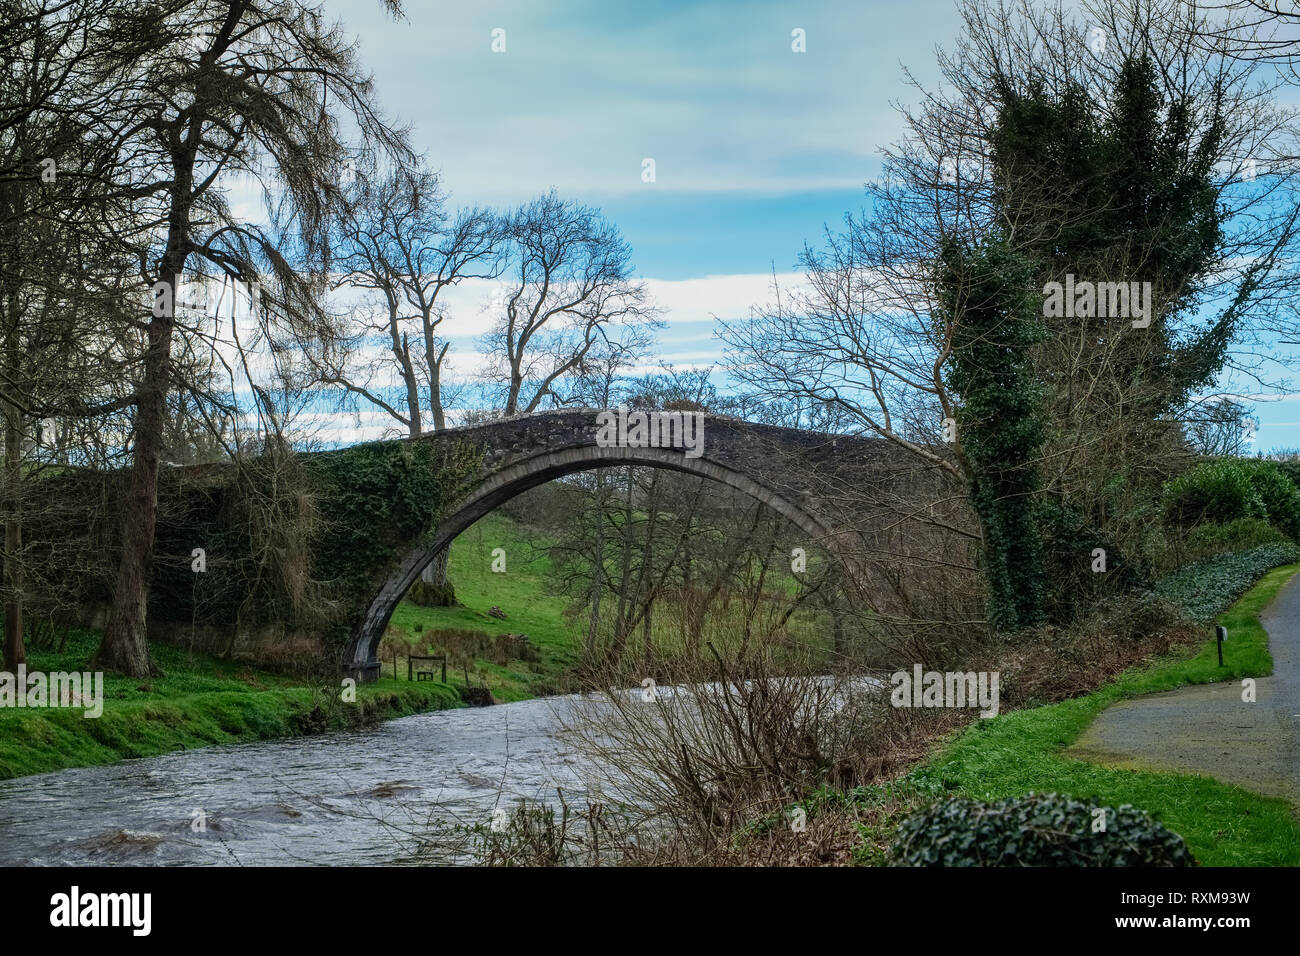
<point>315,551</point>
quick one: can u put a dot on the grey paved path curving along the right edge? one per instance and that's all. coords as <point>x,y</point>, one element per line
<point>1208,729</point>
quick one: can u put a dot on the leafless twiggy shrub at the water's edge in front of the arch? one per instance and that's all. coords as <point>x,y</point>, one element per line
<point>709,751</point>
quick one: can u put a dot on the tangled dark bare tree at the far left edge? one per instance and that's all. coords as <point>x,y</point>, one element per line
<point>68,236</point>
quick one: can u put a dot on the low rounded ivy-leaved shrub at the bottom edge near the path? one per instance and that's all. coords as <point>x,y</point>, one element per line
<point>1035,830</point>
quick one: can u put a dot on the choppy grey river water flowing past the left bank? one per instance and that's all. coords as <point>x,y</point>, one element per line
<point>339,799</point>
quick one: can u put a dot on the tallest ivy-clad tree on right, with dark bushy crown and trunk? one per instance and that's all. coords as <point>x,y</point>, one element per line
<point>1117,184</point>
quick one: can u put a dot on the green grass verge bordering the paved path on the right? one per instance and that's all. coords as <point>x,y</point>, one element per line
<point>1020,752</point>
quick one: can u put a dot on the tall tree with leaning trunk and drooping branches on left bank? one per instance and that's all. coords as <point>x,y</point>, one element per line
<point>231,88</point>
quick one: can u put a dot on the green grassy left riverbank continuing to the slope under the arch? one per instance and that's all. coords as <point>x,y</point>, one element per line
<point>198,700</point>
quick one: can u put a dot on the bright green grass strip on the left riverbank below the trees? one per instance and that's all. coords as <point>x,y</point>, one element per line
<point>196,702</point>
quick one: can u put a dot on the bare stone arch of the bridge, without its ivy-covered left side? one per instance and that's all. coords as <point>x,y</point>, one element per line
<point>813,479</point>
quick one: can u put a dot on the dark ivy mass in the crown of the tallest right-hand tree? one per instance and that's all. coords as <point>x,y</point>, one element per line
<point>1115,187</point>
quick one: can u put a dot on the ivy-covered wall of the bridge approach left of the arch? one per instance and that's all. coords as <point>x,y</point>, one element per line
<point>298,544</point>
